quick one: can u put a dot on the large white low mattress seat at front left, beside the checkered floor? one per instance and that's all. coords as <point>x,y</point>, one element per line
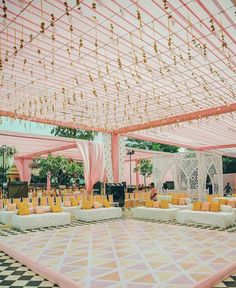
<point>33,221</point>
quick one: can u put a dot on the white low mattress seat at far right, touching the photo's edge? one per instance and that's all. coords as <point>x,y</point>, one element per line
<point>219,219</point>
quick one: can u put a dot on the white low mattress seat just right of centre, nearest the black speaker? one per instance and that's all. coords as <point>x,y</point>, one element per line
<point>155,213</point>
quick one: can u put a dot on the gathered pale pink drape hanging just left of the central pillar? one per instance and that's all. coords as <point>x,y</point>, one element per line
<point>94,164</point>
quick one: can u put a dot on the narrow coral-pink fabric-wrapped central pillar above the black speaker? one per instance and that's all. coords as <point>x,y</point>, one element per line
<point>115,147</point>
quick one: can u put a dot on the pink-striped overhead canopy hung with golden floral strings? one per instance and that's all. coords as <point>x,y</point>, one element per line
<point>121,66</point>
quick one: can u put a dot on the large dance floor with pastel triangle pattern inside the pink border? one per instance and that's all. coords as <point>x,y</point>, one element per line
<point>123,254</point>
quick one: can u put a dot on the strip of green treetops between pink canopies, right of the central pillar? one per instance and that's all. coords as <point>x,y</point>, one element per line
<point>147,145</point>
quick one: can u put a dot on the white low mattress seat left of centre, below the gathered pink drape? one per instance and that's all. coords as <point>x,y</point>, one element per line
<point>98,214</point>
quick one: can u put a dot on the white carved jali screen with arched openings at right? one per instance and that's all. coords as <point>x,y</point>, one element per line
<point>189,171</point>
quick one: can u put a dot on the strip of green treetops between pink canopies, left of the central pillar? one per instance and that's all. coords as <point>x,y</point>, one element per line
<point>73,133</point>
